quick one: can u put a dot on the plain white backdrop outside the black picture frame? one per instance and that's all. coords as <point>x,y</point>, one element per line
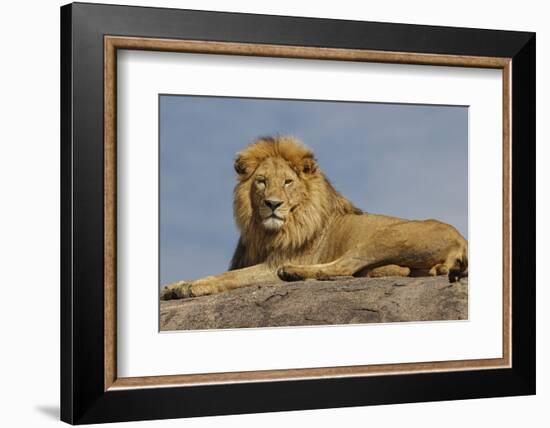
<point>29,218</point>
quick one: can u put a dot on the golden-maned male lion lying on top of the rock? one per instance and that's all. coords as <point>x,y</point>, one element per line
<point>294,226</point>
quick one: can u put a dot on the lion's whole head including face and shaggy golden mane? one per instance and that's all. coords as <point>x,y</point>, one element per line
<point>281,200</point>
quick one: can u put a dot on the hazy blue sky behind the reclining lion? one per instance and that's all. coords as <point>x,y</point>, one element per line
<point>403,160</point>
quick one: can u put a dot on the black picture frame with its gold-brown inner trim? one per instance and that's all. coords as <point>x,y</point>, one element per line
<point>91,391</point>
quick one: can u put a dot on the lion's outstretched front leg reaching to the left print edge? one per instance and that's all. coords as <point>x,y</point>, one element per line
<point>219,283</point>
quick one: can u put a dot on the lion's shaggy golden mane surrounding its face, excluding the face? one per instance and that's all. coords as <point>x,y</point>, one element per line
<point>320,204</point>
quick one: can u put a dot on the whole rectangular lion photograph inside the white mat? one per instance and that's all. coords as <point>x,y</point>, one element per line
<point>284,212</point>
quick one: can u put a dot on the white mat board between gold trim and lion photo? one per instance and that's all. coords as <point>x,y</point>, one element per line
<point>143,352</point>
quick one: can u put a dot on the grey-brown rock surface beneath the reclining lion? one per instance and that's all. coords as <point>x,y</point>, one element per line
<point>311,302</point>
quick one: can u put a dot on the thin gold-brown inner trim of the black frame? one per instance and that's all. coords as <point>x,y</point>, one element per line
<point>112,43</point>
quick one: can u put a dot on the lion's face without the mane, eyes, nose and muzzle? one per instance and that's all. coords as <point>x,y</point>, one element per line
<point>276,191</point>
